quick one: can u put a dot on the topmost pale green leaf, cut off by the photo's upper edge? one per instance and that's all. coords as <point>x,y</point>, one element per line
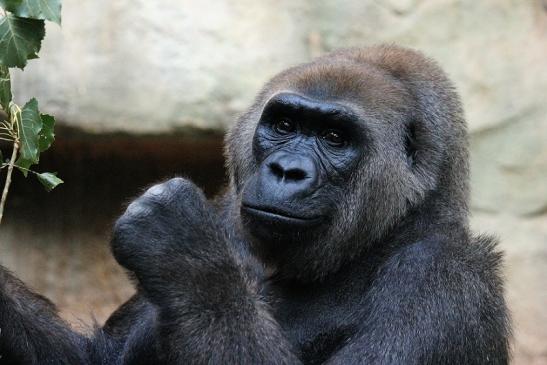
<point>35,9</point>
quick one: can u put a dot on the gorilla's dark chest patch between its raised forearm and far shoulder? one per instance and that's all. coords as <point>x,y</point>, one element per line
<point>315,322</point>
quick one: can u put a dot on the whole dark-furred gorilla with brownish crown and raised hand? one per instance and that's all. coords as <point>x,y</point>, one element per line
<point>342,238</point>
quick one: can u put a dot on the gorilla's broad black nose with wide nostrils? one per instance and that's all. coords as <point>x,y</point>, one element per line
<point>291,173</point>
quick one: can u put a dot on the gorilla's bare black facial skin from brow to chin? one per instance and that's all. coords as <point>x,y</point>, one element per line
<point>305,150</point>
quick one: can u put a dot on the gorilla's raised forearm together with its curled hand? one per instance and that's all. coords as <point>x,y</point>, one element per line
<point>209,311</point>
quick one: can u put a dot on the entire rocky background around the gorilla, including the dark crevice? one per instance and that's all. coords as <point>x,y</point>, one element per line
<point>144,90</point>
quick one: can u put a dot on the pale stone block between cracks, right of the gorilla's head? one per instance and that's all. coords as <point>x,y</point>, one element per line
<point>509,167</point>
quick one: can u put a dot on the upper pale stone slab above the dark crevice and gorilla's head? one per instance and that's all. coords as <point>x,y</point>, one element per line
<point>142,66</point>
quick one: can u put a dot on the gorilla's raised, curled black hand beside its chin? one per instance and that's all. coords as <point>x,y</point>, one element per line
<point>170,237</point>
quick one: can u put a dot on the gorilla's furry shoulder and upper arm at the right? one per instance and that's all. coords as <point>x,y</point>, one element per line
<point>433,303</point>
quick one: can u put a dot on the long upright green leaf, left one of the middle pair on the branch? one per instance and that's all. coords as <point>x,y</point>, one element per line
<point>29,127</point>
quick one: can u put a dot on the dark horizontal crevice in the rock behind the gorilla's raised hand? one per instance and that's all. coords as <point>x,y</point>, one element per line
<point>103,172</point>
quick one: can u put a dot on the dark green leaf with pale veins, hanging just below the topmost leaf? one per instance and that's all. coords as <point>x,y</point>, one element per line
<point>20,40</point>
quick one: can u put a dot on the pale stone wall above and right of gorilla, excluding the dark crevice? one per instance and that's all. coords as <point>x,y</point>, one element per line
<point>158,67</point>
